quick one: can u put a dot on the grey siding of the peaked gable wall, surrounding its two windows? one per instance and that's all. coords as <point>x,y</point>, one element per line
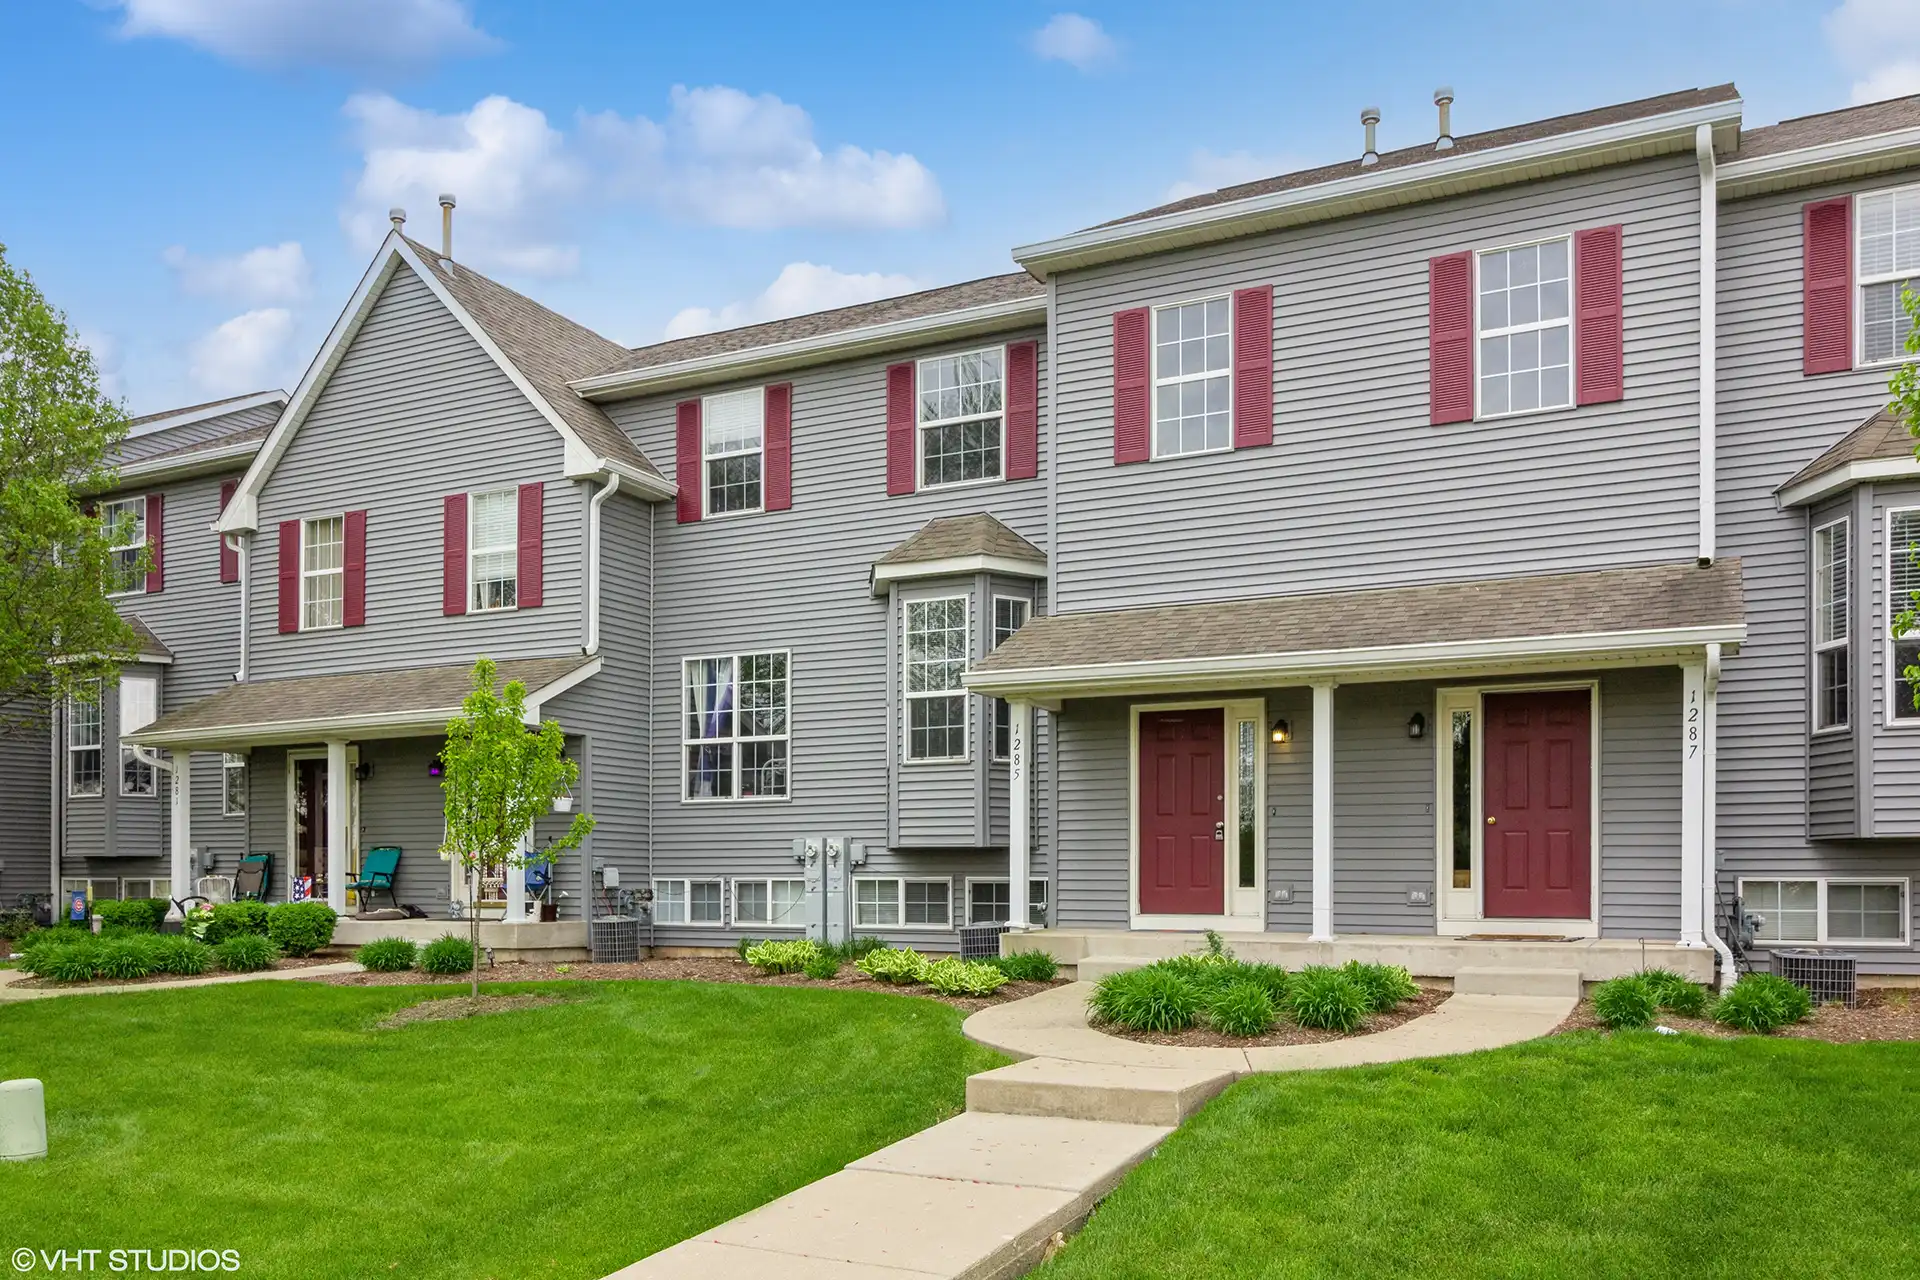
<point>416,412</point>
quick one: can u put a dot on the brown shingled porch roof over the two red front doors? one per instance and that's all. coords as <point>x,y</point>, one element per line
<point>1604,617</point>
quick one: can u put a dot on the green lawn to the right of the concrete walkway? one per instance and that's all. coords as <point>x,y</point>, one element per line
<point>1583,1156</point>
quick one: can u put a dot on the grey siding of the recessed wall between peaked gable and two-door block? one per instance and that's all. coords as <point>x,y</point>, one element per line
<point>800,581</point>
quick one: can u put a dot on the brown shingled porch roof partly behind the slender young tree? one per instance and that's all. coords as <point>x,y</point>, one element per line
<point>360,705</point>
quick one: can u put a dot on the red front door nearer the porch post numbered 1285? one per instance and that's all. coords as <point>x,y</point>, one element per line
<point>1184,813</point>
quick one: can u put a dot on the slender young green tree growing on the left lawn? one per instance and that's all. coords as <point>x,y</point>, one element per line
<point>498,776</point>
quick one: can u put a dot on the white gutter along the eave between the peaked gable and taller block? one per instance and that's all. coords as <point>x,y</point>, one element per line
<point>805,350</point>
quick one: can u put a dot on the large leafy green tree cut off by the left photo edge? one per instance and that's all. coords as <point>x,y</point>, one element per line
<point>59,630</point>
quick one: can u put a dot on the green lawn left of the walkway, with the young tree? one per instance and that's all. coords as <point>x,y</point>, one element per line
<point>567,1141</point>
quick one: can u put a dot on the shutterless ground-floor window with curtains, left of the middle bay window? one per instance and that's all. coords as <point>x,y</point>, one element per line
<point>736,726</point>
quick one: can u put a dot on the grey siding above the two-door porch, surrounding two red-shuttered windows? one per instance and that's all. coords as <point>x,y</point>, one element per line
<point>1358,488</point>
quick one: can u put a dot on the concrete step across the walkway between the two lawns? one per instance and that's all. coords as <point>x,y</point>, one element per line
<point>1097,1091</point>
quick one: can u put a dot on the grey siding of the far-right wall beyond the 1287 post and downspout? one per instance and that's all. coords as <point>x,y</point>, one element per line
<point>1773,421</point>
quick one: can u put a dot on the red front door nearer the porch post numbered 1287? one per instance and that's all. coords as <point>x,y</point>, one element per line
<point>1539,795</point>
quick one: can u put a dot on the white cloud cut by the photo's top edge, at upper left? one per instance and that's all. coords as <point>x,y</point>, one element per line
<point>329,34</point>
